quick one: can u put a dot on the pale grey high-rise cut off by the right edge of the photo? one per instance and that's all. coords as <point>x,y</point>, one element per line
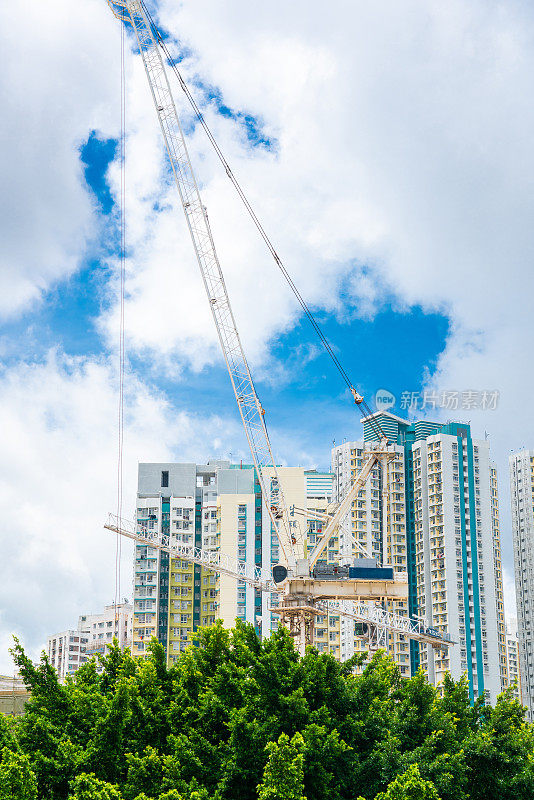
<point>522,500</point>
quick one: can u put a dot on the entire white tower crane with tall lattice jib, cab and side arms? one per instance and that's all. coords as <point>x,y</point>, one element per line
<point>305,590</point>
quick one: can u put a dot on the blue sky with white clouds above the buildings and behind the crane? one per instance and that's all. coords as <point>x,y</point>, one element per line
<point>387,149</point>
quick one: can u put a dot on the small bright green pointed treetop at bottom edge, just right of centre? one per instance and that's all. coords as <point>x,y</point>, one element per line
<point>283,776</point>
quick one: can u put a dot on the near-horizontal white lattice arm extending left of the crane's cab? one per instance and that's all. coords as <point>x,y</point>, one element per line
<point>216,561</point>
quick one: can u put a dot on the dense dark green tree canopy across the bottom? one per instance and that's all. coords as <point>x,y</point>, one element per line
<point>237,718</point>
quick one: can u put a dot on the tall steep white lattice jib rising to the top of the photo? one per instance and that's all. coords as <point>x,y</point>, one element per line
<point>250,409</point>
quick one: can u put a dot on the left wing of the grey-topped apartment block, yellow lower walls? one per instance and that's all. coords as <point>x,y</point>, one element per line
<point>178,500</point>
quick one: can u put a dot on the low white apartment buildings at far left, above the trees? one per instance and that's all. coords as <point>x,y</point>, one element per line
<point>95,633</point>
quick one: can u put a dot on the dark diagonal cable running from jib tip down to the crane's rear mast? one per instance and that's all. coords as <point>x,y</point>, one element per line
<point>362,404</point>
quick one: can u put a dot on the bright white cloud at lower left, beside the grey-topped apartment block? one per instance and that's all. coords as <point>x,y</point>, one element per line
<point>58,480</point>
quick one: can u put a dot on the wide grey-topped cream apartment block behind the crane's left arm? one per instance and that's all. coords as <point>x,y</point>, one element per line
<point>217,506</point>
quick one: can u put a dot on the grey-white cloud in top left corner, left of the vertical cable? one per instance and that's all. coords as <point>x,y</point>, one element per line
<point>55,87</point>
